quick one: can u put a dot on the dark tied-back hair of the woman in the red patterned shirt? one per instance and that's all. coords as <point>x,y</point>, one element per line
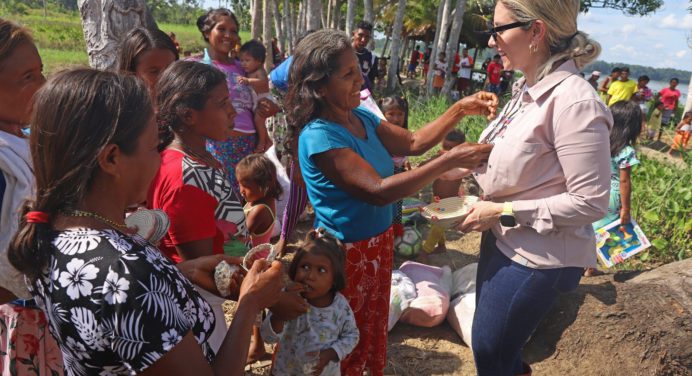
<point>183,85</point>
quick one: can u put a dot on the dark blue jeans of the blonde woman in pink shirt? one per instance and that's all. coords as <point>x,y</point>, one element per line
<point>511,300</point>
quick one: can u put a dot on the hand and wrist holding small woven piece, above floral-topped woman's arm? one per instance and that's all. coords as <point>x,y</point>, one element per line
<point>200,271</point>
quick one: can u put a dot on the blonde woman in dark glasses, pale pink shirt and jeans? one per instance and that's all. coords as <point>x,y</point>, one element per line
<point>546,180</point>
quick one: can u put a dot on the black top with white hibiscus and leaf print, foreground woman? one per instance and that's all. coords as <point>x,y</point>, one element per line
<point>115,304</point>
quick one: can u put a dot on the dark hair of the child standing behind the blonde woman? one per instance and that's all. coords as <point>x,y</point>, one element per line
<point>627,124</point>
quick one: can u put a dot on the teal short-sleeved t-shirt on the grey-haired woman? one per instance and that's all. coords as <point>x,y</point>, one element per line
<point>347,217</point>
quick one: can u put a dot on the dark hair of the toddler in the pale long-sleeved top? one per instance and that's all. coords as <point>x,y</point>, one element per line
<point>319,242</point>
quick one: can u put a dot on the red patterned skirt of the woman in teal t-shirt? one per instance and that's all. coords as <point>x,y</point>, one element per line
<point>369,278</point>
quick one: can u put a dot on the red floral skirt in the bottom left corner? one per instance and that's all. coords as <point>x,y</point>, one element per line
<point>26,345</point>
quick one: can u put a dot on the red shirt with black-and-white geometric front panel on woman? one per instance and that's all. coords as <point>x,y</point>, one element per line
<point>199,202</point>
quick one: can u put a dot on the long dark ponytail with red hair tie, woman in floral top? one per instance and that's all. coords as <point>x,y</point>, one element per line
<point>76,115</point>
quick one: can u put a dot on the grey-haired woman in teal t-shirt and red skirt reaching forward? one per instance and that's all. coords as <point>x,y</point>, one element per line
<point>345,156</point>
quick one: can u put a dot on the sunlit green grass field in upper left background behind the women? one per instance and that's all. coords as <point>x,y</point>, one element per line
<point>60,39</point>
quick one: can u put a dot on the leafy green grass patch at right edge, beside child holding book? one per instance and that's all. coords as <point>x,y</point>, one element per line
<point>661,201</point>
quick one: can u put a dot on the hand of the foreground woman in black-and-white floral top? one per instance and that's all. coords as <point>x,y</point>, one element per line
<point>262,285</point>
